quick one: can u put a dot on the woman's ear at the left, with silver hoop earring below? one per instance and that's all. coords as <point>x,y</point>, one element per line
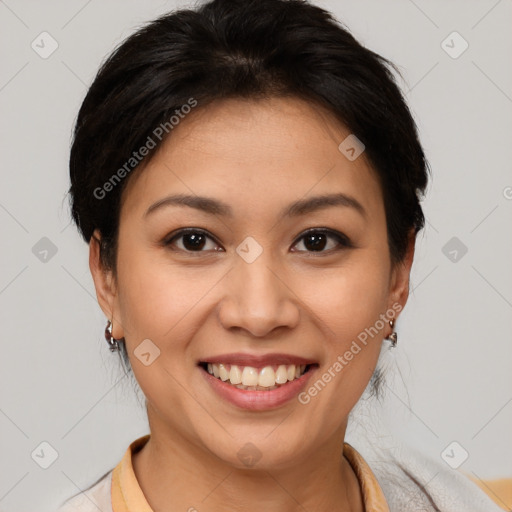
<point>105,285</point>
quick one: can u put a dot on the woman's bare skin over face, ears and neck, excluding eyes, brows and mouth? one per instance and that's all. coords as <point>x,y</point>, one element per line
<point>258,157</point>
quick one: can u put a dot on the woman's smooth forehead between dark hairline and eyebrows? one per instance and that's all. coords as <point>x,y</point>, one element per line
<point>242,151</point>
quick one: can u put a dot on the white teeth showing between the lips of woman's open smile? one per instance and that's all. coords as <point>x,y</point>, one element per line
<point>256,379</point>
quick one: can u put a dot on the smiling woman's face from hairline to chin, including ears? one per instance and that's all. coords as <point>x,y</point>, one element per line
<point>247,287</point>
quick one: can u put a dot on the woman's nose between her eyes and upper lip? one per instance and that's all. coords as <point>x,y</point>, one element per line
<point>258,299</point>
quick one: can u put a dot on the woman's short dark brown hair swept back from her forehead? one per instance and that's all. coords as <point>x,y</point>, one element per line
<point>241,49</point>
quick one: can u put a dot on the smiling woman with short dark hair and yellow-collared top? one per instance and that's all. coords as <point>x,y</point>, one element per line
<point>248,179</point>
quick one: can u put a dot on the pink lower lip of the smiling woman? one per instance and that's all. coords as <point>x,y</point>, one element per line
<point>258,400</point>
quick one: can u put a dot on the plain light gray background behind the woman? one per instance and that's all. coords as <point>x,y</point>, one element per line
<point>59,382</point>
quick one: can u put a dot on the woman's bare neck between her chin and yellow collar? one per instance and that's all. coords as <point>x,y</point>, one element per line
<point>173,471</point>
